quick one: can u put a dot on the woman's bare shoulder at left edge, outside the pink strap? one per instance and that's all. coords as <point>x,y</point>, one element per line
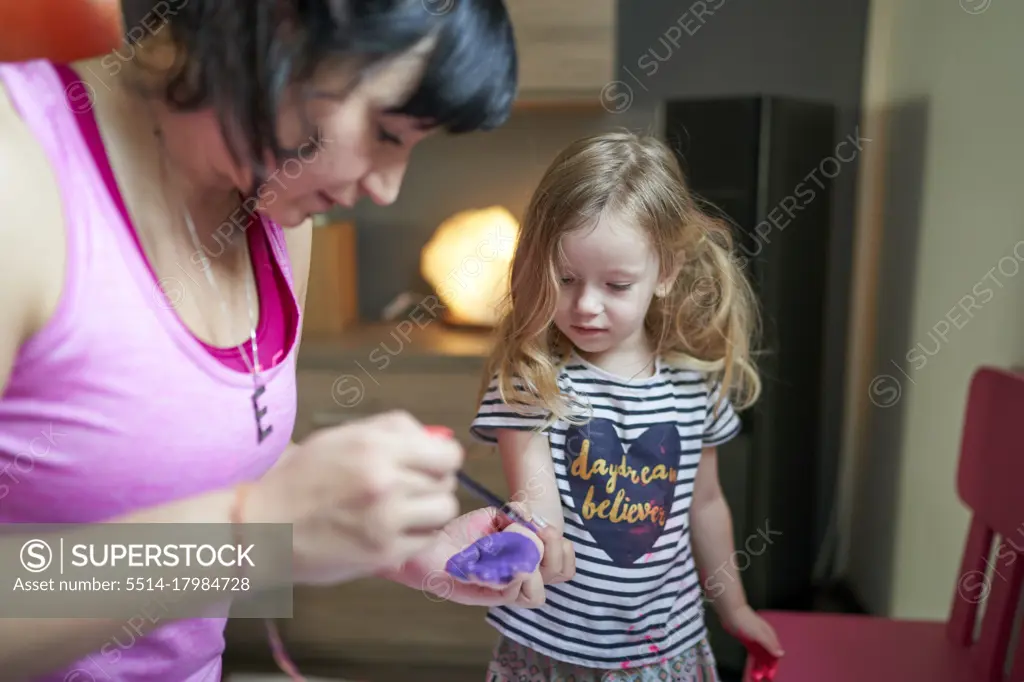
<point>32,251</point>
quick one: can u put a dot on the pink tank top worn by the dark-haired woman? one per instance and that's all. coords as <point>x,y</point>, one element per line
<point>116,406</point>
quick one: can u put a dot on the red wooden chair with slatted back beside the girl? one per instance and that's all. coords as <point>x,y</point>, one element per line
<point>991,482</point>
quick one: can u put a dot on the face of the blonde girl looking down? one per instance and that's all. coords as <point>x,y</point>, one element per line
<point>609,279</point>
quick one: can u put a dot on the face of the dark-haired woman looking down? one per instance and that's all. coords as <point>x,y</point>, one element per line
<point>361,151</point>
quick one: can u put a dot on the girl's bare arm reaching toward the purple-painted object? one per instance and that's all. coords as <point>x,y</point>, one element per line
<point>531,476</point>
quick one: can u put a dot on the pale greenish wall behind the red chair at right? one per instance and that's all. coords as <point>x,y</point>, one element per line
<point>938,291</point>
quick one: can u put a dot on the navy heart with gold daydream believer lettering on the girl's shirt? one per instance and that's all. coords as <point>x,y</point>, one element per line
<point>628,520</point>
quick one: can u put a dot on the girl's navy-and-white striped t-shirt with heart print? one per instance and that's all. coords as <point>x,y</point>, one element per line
<point>626,480</point>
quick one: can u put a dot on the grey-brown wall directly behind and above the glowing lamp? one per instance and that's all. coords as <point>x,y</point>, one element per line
<point>451,174</point>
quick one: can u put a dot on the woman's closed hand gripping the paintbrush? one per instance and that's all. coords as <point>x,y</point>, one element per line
<point>362,497</point>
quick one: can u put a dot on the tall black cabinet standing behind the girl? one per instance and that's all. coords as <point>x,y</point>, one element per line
<point>764,164</point>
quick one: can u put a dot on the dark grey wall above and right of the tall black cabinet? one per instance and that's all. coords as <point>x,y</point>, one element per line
<point>815,51</point>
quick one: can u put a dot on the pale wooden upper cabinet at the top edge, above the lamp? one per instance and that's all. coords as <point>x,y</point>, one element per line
<point>567,48</point>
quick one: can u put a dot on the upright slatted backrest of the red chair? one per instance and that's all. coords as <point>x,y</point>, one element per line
<point>991,482</point>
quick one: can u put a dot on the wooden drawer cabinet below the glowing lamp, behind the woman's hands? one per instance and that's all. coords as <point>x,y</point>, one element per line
<point>435,374</point>
